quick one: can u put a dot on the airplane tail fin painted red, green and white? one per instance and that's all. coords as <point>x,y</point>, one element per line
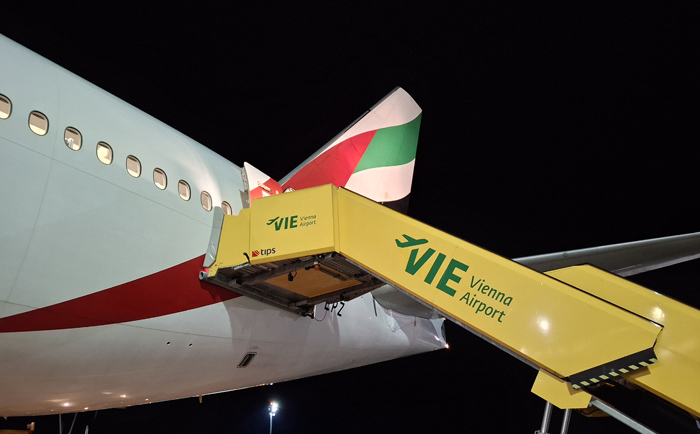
<point>373,157</point>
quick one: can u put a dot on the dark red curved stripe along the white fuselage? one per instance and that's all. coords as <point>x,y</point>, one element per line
<point>173,290</point>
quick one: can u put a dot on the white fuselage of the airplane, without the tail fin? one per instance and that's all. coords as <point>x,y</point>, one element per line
<point>72,226</point>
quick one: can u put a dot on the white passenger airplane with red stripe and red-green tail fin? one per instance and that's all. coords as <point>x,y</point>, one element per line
<point>106,234</point>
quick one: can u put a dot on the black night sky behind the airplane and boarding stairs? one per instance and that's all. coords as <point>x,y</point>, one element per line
<point>545,127</point>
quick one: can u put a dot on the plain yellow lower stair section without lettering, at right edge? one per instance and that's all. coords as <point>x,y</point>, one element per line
<point>678,346</point>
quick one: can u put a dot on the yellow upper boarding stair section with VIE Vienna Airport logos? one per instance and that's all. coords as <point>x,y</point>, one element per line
<point>325,244</point>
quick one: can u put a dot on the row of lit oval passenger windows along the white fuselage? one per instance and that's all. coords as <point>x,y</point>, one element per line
<point>39,124</point>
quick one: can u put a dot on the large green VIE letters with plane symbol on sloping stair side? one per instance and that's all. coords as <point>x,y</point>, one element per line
<point>415,263</point>
